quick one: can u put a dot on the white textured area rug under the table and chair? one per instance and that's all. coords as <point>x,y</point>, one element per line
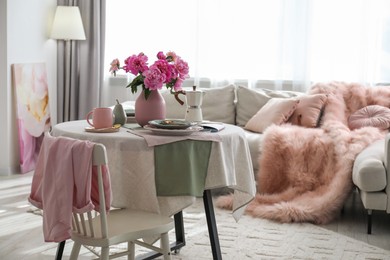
<point>251,238</point>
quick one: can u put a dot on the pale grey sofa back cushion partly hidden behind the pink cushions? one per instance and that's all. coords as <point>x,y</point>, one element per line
<point>249,101</point>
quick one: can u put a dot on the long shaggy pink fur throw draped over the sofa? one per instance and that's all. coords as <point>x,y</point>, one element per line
<point>305,173</point>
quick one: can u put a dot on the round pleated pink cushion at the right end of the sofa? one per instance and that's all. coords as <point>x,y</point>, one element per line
<point>374,115</point>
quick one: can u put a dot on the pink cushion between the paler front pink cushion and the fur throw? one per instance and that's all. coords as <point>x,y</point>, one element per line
<point>309,110</point>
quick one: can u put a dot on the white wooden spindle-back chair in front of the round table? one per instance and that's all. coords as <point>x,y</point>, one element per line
<point>118,226</point>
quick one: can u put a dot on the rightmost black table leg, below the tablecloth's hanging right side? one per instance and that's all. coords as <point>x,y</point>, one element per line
<point>212,225</point>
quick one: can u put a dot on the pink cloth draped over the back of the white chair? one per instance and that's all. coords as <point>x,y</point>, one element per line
<point>63,182</point>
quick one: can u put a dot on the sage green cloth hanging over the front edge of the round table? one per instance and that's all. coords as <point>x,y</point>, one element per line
<point>181,167</point>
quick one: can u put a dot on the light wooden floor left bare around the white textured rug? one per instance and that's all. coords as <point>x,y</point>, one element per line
<point>20,236</point>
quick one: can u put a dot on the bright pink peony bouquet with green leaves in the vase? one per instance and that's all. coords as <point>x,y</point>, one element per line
<point>168,69</point>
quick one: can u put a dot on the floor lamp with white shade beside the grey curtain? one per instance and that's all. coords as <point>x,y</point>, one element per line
<point>67,26</point>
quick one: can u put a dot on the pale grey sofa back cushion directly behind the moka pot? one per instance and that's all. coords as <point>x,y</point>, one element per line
<point>218,105</point>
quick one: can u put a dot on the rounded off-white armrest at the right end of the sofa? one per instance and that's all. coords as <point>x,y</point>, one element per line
<point>369,173</point>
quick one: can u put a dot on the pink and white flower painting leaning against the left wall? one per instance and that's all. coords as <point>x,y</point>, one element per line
<point>33,115</point>
